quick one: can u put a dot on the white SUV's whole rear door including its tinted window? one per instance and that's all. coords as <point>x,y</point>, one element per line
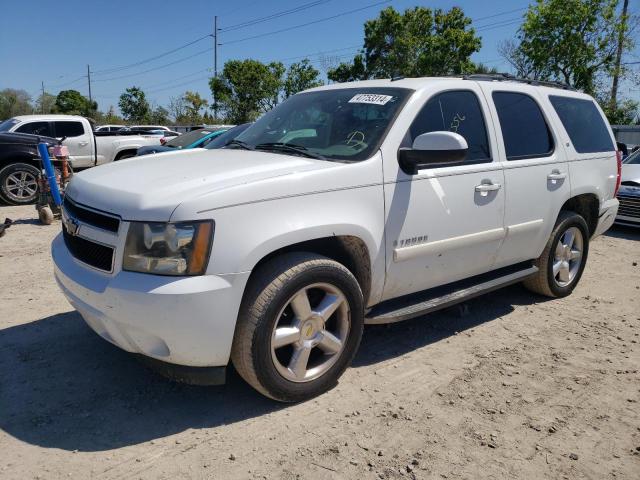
<point>535,170</point>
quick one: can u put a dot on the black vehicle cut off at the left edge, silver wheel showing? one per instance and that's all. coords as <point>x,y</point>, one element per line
<point>19,169</point>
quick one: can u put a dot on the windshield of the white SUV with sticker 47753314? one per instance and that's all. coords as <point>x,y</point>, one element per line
<point>341,124</point>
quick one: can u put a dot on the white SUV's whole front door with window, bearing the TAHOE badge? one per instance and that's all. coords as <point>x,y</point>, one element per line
<point>445,224</point>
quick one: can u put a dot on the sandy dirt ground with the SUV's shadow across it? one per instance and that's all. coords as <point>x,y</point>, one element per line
<point>510,386</point>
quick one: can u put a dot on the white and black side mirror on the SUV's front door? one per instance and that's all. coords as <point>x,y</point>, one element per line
<point>433,149</point>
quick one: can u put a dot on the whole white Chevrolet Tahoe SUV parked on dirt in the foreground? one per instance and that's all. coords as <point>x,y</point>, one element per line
<point>350,204</point>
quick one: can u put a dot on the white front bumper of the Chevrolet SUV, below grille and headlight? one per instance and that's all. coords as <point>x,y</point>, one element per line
<point>186,321</point>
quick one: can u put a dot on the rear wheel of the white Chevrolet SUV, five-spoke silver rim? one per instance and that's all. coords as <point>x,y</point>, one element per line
<point>563,259</point>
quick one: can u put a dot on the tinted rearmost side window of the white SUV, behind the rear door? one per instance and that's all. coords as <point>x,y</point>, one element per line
<point>584,124</point>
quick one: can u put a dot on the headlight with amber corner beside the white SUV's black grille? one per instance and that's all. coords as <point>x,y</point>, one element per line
<point>168,248</point>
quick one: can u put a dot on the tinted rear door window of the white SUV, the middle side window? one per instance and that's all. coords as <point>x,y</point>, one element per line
<point>524,129</point>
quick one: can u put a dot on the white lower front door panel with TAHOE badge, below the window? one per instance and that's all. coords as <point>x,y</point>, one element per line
<point>440,229</point>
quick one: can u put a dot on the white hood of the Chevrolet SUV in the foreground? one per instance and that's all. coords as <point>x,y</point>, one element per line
<point>151,187</point>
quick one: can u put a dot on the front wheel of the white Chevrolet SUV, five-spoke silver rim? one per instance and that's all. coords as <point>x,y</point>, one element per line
<point>299,327</point>
